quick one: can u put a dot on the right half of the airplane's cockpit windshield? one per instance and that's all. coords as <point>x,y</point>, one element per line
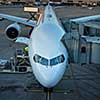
<point>57,60</point>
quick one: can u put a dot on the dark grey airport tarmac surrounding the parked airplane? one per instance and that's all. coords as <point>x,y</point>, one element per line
<point>80,82</point>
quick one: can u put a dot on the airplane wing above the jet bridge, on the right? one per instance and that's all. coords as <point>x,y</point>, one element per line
<point>85,19</point>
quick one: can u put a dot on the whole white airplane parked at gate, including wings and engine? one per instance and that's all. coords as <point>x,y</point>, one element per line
<point>47,54</point>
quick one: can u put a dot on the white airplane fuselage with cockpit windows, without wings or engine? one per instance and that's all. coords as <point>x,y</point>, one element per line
<point>48,56</point>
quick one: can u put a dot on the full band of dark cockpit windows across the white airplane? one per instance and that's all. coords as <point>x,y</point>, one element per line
<point>49,62</point>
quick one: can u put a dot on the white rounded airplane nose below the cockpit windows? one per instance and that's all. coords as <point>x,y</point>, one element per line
<point>48,76</point>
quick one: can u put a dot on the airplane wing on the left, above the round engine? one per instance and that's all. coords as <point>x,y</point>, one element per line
<point>19,20</point>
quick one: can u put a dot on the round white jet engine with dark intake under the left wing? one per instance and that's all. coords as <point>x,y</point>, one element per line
<point>13,31</point>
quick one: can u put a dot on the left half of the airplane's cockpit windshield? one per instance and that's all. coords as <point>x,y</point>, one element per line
<point>40,60</point>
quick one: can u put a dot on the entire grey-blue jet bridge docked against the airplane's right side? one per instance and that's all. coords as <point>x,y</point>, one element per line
<point>82,41</point>
